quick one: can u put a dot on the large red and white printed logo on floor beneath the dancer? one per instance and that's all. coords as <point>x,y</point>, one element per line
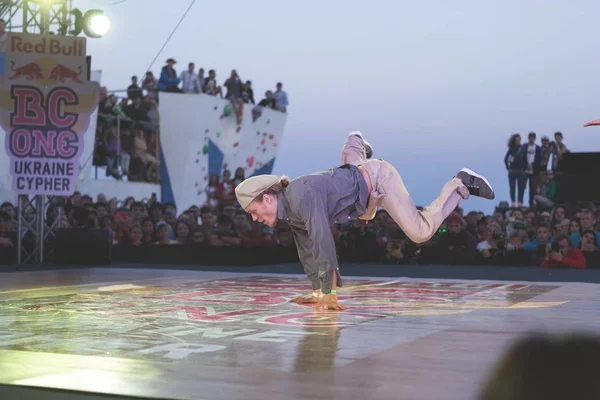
<point>197,317</point>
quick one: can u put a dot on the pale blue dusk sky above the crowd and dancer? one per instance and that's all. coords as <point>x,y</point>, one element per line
<point>434,86</point>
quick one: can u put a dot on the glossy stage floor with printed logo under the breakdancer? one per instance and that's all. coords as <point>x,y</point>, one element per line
<point>199,335</point>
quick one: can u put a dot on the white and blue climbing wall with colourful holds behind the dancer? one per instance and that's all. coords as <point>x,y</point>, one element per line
<point>200,137</point>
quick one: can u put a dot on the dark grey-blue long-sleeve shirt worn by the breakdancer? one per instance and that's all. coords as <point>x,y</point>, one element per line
<point>310,204</point>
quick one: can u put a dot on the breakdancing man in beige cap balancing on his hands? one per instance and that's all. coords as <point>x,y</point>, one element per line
<point>310,204</point>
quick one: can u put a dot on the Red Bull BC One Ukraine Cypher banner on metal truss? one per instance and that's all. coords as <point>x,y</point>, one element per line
<point>45,106</point>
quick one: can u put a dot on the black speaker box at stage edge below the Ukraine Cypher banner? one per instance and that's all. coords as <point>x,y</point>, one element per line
<point>84,246</point>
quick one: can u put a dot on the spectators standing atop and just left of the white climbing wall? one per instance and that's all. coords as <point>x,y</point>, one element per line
<point>127,135</point>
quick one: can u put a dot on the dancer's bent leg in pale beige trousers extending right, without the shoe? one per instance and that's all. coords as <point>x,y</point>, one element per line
<point>419,226</point>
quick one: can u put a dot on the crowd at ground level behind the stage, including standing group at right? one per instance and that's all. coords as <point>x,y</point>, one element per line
<point>541,234</point>
